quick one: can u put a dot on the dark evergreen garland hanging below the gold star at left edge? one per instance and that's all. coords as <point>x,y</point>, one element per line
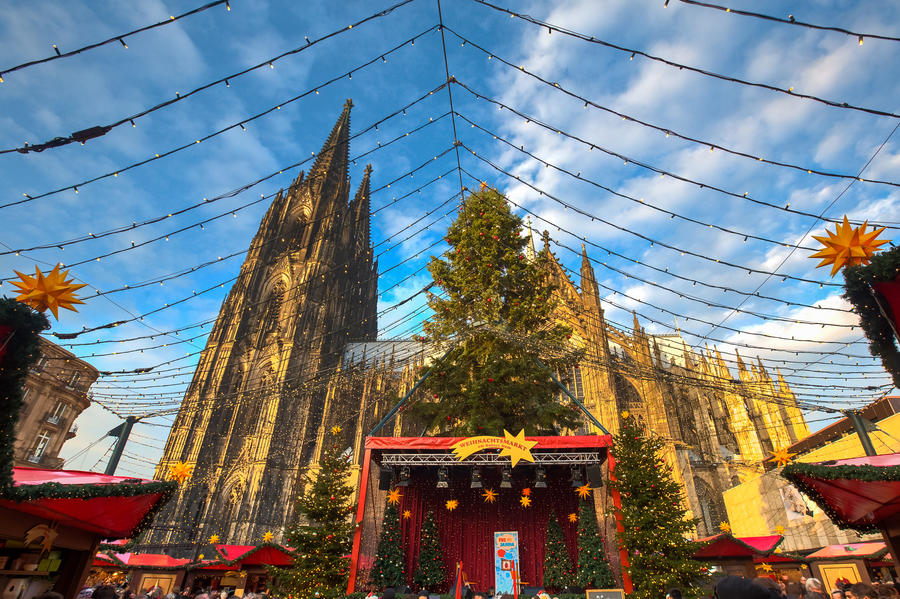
<point>20,327</point>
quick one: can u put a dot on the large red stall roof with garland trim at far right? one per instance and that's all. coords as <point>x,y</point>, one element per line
<point>857,493</point>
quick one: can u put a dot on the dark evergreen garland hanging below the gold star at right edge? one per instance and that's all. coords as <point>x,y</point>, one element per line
<point>858,282</point>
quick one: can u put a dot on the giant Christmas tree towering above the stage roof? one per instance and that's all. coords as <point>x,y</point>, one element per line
<point>493,317</point>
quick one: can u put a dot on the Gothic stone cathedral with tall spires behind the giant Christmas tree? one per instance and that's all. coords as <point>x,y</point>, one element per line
<point>294,353</point>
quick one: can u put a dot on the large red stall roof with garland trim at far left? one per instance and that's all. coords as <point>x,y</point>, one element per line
<point>110,506</point>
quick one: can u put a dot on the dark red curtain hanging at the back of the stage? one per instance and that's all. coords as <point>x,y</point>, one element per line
<point>467,533</point>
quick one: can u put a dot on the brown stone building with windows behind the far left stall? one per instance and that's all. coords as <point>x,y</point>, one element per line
<point>56,392</point>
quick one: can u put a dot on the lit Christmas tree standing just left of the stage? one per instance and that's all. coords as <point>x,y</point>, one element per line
<point>321,534</point>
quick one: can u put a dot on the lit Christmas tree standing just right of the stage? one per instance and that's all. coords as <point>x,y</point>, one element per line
<point>656,525</point>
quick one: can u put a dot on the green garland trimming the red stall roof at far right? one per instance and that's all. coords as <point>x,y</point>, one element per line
<point>797,472</point>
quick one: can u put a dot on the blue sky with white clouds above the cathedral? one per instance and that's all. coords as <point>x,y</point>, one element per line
<point>829,367</point>
